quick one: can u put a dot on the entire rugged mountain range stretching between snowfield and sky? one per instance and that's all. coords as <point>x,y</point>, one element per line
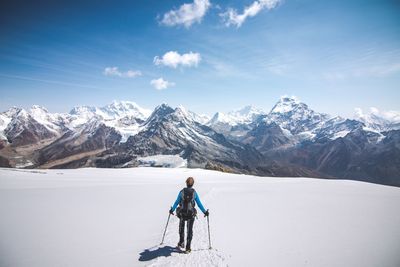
<point>289,140</point>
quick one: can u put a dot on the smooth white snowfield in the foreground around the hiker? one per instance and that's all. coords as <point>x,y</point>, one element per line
<point>116,217</point>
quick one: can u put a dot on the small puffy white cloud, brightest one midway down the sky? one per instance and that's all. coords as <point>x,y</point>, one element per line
<point>173,59</point>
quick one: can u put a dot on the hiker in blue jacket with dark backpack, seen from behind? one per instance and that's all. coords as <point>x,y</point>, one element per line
<point>186,211</point>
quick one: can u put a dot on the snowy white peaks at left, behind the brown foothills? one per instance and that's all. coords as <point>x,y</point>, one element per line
<point>15,124</point>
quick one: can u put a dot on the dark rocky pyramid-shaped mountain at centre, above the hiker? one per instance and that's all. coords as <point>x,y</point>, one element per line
<point>174,131</point>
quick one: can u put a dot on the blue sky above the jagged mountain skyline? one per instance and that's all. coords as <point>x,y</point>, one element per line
<point>333,55</point>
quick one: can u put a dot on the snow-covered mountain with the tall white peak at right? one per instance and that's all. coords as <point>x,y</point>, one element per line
<point>296,120</point>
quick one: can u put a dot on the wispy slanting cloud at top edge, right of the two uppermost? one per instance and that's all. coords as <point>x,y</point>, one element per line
<point>231,16</point>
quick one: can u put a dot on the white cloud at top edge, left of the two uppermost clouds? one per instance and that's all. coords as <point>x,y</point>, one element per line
<point>187,14</point>
